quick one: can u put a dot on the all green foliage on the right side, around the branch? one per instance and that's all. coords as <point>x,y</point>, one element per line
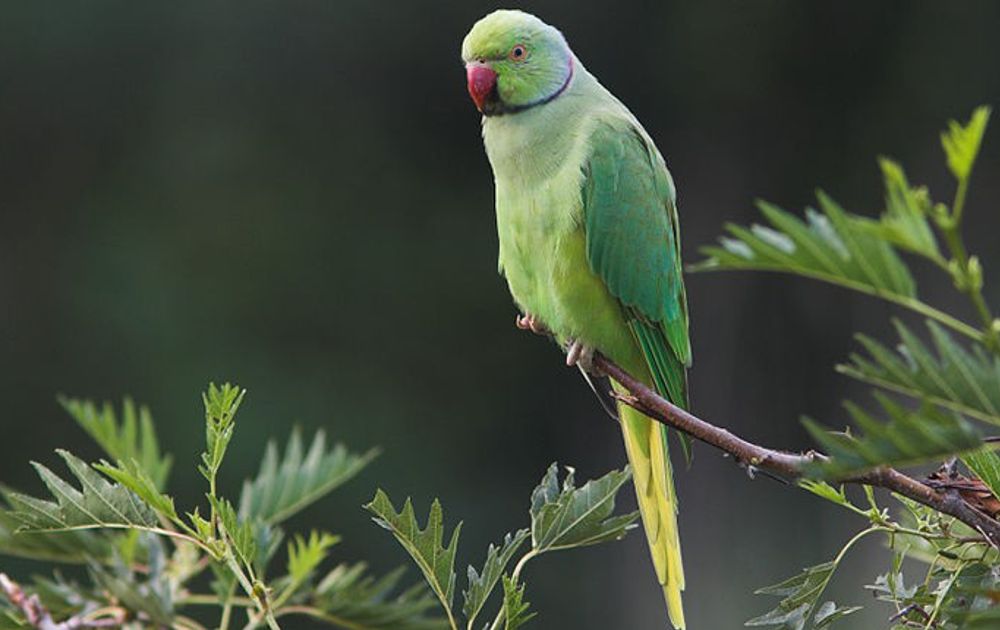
<point>933,396</point>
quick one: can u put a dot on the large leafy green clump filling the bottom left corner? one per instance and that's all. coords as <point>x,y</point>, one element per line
<point>143,557</point>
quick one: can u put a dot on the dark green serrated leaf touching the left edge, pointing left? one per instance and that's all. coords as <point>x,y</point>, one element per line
<point>98,502</point>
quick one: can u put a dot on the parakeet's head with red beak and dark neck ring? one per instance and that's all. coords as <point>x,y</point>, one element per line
<point>514,61</point>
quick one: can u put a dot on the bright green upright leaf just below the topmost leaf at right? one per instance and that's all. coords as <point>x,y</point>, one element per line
<point>904,222</point>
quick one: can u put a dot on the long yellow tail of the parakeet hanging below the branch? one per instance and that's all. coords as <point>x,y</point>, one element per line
<point>646,444</point>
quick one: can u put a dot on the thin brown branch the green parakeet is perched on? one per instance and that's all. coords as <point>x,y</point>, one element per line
<point>791,465</point>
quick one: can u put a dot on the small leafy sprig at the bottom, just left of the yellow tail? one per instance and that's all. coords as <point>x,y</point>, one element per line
<point>562,517</point>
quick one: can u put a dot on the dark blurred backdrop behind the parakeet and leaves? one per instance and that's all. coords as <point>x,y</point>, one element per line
<point>294,196</point>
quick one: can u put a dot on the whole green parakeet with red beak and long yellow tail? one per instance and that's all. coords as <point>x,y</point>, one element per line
<point>589,241</point>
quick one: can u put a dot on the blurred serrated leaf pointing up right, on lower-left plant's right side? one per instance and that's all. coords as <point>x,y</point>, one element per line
<point>287,485</point>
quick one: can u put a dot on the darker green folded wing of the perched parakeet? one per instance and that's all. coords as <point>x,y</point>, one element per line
<point>633,244</point>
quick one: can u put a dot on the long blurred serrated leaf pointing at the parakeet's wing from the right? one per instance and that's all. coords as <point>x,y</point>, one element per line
<point>833,246</point>
